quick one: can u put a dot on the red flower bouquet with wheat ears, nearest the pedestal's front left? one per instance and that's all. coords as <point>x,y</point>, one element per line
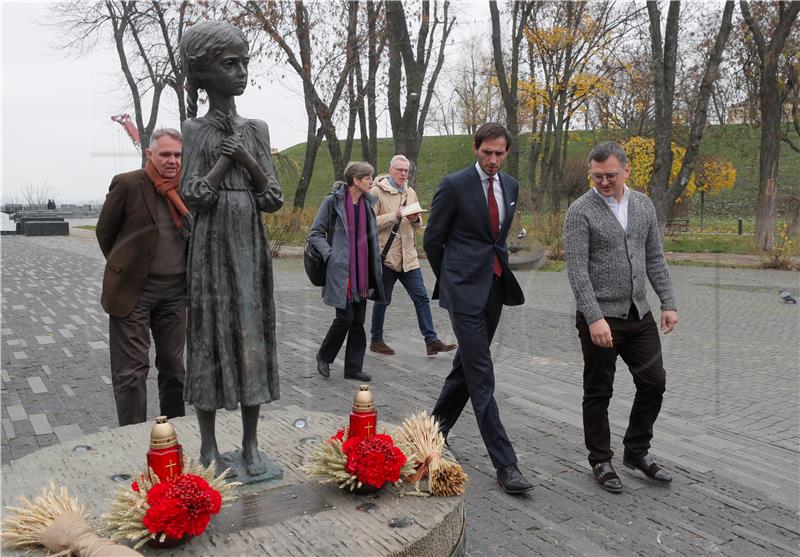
<point>168,510</point>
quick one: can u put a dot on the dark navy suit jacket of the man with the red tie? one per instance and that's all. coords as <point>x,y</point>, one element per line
<point>460,246</point>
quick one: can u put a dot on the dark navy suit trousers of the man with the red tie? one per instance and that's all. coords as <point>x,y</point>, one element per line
<point>472,377</point>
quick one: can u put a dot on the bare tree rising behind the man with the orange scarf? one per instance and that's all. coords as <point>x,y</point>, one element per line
<point>145,36</point>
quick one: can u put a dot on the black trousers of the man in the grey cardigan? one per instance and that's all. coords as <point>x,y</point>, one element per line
<point>637,342</point>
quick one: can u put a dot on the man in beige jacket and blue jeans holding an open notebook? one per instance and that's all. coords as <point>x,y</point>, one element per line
<point>401,261</point>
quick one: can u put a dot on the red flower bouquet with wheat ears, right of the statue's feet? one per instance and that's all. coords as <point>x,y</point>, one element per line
<point>357,462</point>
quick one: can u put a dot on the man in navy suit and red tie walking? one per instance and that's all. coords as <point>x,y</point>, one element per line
<point>465,240</point>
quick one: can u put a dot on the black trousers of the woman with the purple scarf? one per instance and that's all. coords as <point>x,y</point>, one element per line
<point>349,322</point>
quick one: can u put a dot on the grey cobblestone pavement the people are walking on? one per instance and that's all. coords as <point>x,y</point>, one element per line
<point>728,431</point>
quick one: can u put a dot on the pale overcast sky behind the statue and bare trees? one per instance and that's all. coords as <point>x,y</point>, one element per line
<point>56,127</point>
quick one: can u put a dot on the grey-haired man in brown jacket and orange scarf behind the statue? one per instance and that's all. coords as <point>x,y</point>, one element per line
<point>142,230</point>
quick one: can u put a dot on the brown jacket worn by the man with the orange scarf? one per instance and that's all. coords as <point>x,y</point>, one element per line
<point>127,231</point>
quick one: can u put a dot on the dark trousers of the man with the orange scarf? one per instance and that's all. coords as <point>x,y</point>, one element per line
<point>161,309</point>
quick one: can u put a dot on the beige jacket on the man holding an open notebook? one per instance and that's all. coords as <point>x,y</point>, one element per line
<point>402,256</point>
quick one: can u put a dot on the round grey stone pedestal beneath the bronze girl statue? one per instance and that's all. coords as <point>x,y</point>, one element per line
<point>292,516</point>
